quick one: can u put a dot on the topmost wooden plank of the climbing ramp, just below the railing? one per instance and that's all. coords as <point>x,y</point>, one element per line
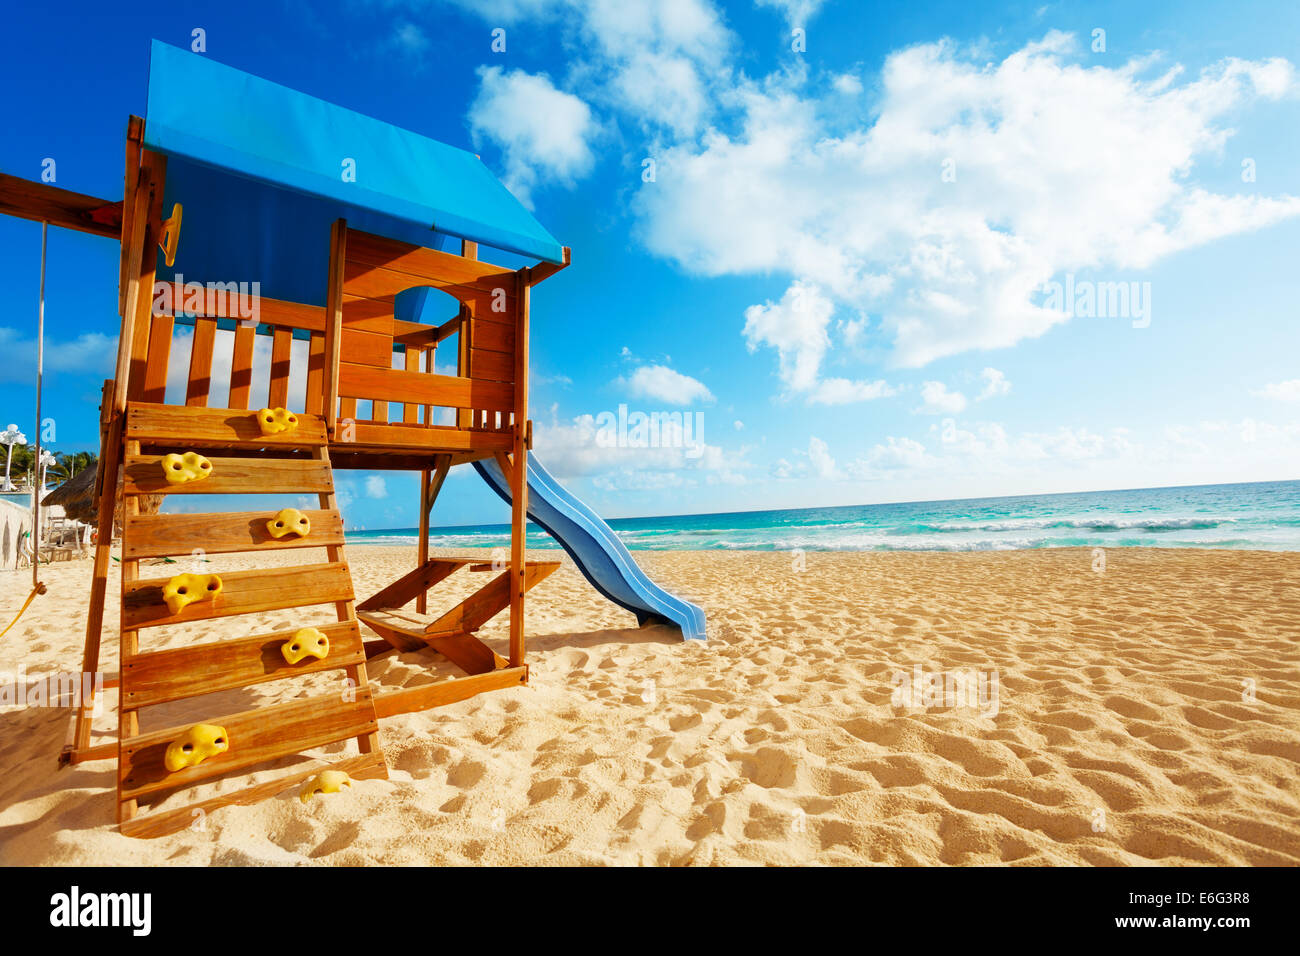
<point>203,427</point>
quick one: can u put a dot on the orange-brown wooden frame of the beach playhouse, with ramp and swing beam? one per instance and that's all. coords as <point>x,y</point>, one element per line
<point>362,358</point>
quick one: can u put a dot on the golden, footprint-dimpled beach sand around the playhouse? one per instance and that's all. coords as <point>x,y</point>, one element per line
<point>1146,715</point>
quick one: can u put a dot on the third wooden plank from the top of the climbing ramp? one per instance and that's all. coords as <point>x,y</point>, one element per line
<point>227,533</point>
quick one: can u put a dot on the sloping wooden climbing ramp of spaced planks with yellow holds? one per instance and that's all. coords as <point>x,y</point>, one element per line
<point>244,462</point>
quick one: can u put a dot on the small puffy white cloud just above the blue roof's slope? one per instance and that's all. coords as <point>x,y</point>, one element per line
<point>544,133</point>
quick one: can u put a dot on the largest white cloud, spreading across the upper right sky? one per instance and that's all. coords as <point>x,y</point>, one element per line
<point>859,209</point>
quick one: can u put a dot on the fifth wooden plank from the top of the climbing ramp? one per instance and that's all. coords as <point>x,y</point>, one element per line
<point>198,669</point>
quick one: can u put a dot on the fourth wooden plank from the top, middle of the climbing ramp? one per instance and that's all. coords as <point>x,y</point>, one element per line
<point>242,592</point>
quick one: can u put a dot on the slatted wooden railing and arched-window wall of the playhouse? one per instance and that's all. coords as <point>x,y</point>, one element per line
<point>387,386</point>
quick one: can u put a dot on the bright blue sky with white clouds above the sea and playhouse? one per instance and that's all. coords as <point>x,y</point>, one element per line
<point>843,258</point>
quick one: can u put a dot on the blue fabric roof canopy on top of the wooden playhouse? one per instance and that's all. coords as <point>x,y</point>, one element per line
<point>259,170</point>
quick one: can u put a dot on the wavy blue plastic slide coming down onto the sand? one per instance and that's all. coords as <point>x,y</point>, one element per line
<point>599,553</point>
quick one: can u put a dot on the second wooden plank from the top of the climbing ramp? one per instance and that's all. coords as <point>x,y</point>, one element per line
<point>233,477</point>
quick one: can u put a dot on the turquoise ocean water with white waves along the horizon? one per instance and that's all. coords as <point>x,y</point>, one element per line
<point>1259,516</point>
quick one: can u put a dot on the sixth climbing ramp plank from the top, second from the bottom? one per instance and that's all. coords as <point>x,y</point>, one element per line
<point>257,737</point>
